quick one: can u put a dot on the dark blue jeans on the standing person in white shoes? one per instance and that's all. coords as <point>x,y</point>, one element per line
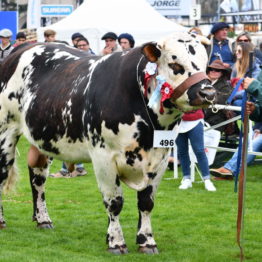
<point>196,137</point>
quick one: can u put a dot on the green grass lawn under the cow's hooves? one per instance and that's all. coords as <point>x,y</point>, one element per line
<point>189,226</point>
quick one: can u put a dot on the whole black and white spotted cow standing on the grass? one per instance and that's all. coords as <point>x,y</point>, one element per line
<point>71,106</point>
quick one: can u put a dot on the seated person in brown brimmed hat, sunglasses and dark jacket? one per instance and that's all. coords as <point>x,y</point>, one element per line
<point>219,76</point>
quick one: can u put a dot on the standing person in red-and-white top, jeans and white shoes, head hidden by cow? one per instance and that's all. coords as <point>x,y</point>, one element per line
<point>191,128</point>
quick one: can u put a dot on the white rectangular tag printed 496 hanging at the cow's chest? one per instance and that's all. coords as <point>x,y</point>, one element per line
<point>164,138</point>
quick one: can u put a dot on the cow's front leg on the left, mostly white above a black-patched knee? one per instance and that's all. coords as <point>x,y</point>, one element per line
<point>111,190</point>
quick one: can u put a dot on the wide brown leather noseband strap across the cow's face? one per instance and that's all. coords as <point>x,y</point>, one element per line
<point>192,80</point>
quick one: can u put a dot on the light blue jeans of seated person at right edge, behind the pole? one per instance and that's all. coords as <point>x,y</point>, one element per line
<point>257,147</point>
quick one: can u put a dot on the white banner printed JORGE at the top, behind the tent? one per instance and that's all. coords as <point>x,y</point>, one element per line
<point>172,7</point>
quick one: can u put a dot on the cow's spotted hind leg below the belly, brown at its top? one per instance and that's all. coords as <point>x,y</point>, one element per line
<point>38,165</point>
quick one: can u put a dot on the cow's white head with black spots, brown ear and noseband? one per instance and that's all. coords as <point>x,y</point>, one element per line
<point>181,60</point>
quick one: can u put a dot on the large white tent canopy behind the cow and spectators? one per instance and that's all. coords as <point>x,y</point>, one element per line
<point>94,18</point>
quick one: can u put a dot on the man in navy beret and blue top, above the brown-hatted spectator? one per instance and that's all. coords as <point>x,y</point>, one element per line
<point>221,46</point>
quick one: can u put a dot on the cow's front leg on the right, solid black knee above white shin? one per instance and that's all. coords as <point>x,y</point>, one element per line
<point>145,238</point>
